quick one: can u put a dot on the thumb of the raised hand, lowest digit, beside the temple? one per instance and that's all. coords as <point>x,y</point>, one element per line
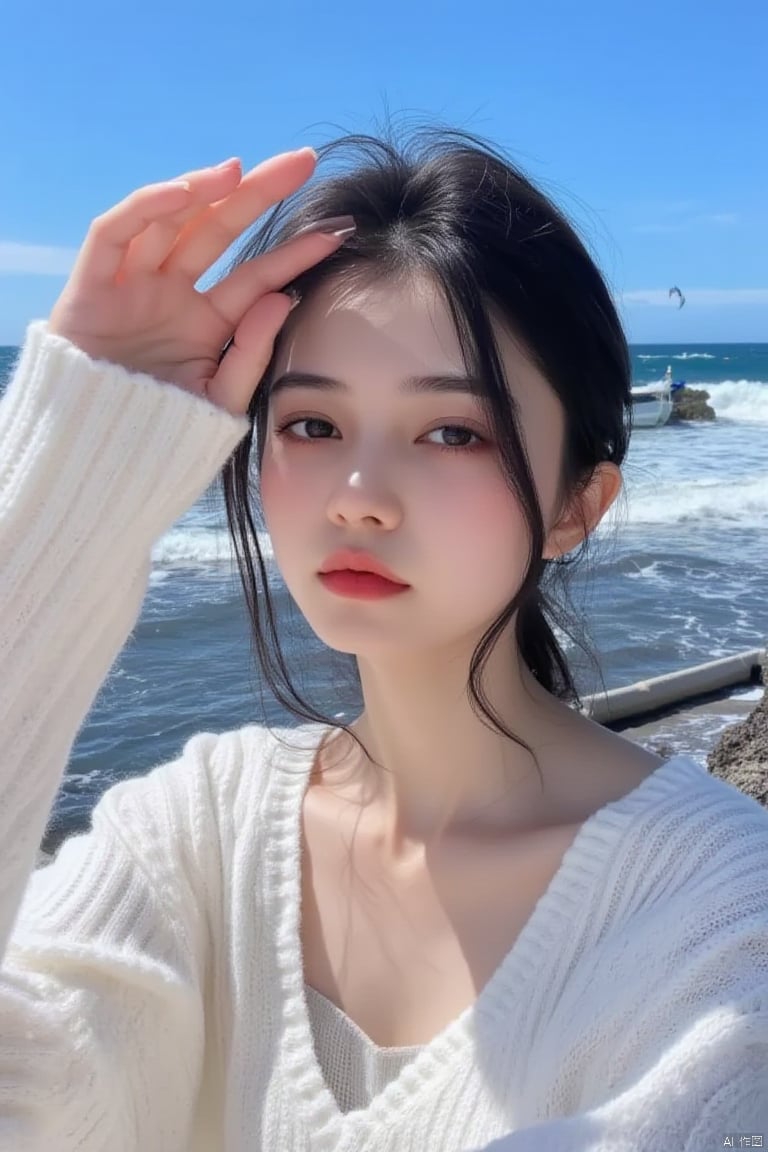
<point>249,354</point>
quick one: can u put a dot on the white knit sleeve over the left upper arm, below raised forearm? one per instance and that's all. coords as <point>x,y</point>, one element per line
<point>104,984</point>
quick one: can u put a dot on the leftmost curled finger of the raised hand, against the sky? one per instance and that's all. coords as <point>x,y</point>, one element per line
<point>111,234</point>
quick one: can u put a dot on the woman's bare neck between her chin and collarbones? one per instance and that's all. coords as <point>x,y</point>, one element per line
<point>436,766</point>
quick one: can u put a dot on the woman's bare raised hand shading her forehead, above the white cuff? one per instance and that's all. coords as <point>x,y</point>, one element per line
<point>132,298</point>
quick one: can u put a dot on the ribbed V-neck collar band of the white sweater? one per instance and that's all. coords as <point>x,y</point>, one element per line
<point>548,930</point>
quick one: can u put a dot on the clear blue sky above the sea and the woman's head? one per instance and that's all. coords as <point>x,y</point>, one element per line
<point>647,123</point>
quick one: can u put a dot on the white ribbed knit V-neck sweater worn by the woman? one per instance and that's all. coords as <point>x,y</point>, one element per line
<point>151,996</point>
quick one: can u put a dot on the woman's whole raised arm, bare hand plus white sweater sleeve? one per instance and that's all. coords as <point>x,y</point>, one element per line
<point>102,999</point>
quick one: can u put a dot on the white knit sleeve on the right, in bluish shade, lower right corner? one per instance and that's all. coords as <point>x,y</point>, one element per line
<point>672,1025</point>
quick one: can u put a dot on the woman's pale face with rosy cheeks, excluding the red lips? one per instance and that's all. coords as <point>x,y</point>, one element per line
<point>376,443</point>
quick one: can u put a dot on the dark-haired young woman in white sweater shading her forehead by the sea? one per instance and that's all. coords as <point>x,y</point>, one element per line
<point>470,920</point>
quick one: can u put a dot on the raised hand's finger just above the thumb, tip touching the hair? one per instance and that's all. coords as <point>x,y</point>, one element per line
<point>271,272</point>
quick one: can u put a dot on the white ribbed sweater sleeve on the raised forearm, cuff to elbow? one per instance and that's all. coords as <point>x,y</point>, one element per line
<point>96,465</point>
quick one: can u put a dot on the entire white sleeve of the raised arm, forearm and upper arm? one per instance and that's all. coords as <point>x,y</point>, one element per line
<point>101,1019</point>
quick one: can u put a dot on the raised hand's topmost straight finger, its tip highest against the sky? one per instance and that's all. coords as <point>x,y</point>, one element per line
<point>224,223</point>
